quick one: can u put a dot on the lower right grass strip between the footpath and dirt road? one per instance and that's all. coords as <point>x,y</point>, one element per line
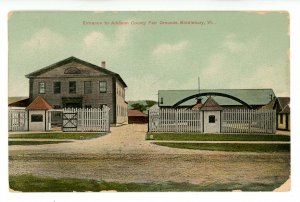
<point>234,147</point>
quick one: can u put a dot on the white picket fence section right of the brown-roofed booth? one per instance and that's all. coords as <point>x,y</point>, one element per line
<point>248,121</point>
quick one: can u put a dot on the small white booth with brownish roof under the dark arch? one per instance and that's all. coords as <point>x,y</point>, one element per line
<point>211,116</point>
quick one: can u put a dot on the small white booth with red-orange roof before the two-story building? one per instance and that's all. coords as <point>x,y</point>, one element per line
<point>38,114</point>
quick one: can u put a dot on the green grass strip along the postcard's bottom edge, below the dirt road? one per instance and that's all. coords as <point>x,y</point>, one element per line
<point>30,183</point>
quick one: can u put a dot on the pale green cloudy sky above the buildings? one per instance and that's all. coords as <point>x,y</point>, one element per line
<point>151,53</point>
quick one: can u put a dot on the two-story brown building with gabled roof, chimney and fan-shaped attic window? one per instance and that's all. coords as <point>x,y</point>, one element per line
<point>74,83</point>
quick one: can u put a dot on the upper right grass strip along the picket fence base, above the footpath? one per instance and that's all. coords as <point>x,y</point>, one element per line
<point>216,137</point>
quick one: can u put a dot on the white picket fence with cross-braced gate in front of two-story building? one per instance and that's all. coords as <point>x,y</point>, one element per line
<point>86,119</point>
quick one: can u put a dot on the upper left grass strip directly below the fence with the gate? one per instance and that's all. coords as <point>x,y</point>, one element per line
<point>57,135</point>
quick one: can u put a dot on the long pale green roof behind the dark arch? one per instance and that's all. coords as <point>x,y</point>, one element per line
<point>250,96</point>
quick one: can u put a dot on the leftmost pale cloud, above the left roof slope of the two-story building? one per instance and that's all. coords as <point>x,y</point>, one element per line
<point>44,39</point>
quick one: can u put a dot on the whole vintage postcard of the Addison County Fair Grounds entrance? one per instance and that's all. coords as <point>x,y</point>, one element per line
<point>142,101</point>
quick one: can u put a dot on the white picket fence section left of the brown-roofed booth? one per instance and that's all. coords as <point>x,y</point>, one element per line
<point>175,120</point>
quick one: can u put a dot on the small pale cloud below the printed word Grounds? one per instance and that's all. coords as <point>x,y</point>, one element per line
<point>165,49</point>
